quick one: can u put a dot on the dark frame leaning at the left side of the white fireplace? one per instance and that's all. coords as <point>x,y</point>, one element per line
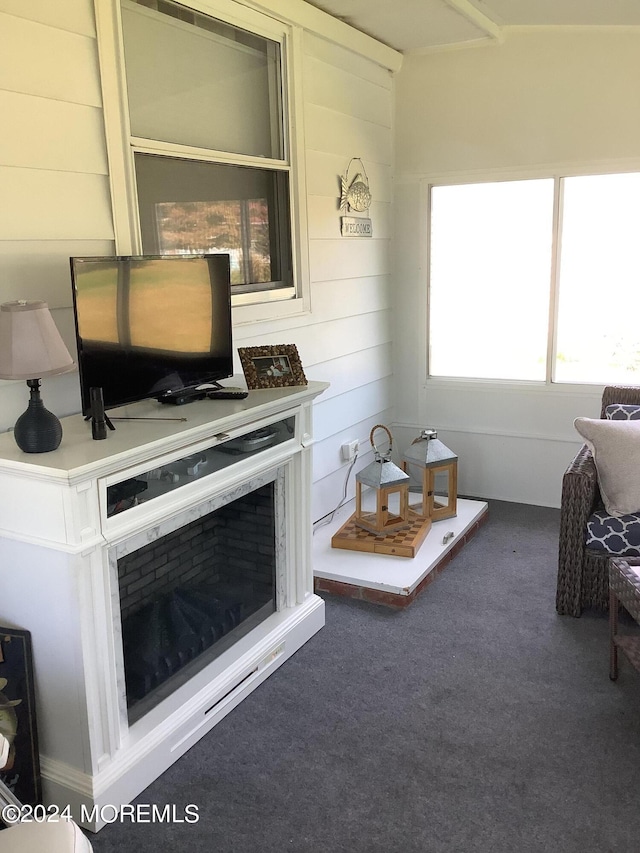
<point>21,774</point>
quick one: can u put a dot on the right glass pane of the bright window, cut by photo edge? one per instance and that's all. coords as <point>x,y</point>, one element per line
<point>598,336</point>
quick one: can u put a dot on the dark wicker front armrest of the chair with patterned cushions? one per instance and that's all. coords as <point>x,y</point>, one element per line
<point>580,495</point>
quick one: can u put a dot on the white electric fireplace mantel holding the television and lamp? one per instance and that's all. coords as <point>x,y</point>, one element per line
<point>57,542</point>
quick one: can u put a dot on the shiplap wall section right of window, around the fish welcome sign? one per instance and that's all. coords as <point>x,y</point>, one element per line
<point>346,340</point>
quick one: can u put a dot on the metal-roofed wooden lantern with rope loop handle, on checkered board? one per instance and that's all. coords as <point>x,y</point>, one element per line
<point>387,480</point>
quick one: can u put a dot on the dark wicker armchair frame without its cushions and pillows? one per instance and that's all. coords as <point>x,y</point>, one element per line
<point>583,579</point>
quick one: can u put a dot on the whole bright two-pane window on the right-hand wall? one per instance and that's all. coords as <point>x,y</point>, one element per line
<point>536,280</point>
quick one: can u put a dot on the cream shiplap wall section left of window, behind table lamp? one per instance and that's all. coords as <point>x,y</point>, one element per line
<point>53,169</point>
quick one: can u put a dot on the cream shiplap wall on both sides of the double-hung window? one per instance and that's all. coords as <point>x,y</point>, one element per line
<point>54,186</point>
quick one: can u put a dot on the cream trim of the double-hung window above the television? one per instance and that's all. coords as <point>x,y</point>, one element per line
<point>247,308</point>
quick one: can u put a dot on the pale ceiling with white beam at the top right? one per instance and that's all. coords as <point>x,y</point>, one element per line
<point>419,25</point>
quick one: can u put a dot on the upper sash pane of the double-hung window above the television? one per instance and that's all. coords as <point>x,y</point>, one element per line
<point>193,80</point>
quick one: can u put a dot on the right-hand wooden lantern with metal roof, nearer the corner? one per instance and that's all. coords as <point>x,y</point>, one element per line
<point>433,457</point>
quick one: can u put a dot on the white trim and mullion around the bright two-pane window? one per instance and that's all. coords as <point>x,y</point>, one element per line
<point>555,171</point>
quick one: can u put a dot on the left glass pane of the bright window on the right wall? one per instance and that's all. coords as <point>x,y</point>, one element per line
<point>489,280</point>
